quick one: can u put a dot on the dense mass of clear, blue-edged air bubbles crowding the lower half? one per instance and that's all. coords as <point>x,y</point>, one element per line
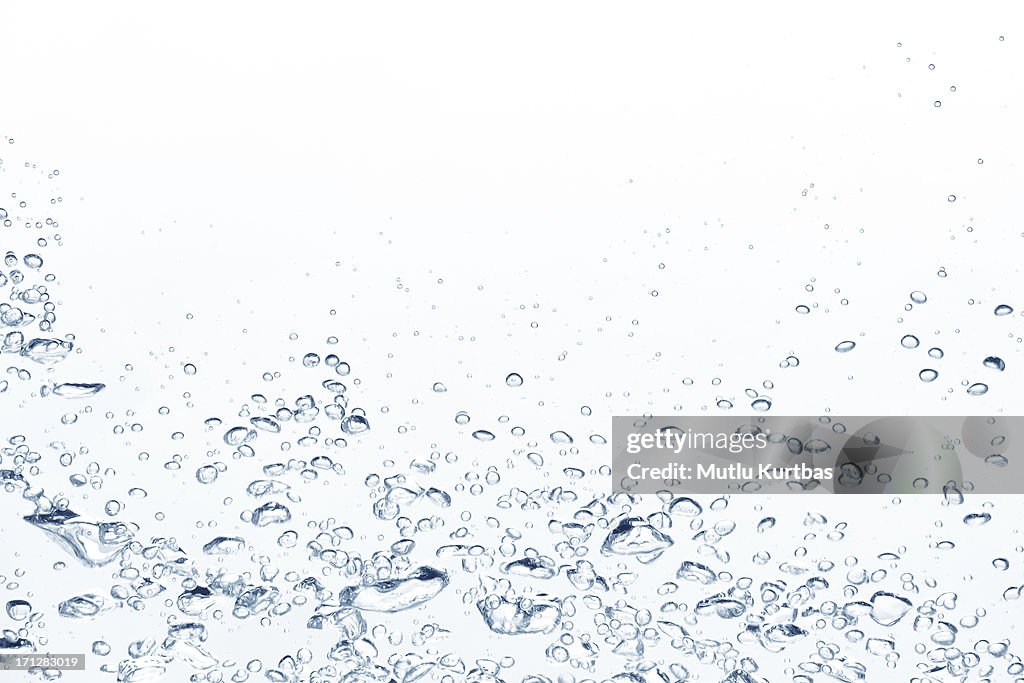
<point>496,556</point>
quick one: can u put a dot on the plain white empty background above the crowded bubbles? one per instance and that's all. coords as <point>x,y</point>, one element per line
<point>222,160</point>
